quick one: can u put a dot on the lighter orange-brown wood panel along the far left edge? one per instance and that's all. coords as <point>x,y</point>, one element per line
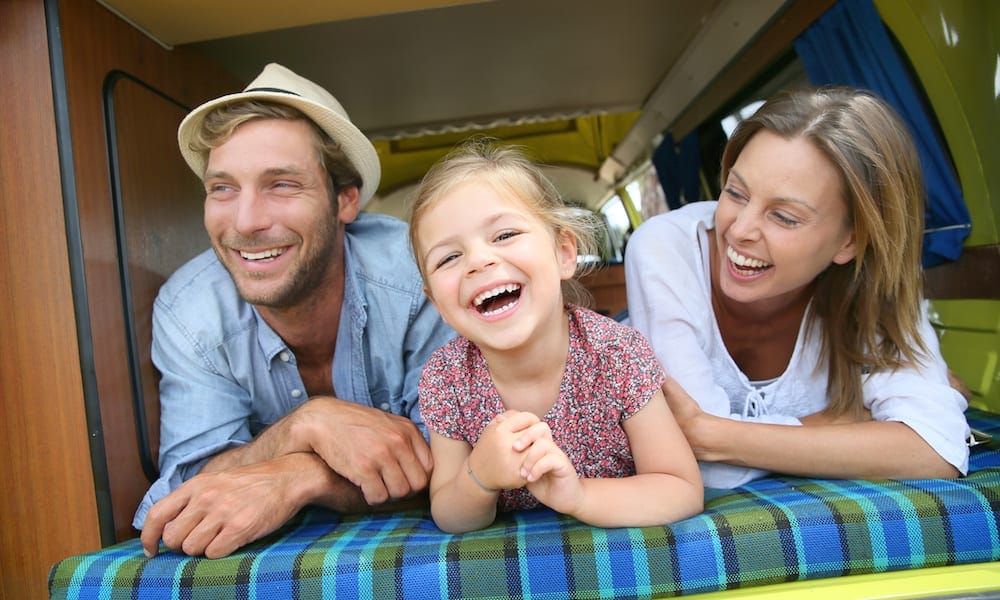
<point>47,507</point>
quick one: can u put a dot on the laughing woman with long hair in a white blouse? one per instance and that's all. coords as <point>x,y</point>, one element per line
<point>789,313</point>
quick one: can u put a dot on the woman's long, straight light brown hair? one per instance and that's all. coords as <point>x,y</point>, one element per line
<point>869,307</point>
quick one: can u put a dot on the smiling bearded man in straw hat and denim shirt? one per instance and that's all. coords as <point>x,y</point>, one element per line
<point>290,354</point>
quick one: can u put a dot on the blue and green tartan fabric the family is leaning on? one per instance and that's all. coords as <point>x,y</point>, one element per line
<point>773,530</point>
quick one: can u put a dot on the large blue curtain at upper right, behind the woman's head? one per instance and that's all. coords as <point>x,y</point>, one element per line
<point>849,45</point>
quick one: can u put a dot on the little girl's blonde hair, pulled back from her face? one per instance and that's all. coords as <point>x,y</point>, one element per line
<point>507,168</point>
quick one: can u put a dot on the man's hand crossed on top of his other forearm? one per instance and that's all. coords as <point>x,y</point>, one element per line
<point>383,454</point>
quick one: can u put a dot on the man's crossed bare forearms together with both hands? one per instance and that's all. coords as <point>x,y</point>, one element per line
<point>321,453</point>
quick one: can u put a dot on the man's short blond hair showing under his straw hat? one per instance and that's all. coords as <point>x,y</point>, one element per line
<point>220,124</point>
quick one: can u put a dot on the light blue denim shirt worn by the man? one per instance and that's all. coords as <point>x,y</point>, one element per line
<point>226,375</point>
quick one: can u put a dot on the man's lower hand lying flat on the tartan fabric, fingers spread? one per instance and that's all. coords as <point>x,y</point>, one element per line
<point>216,513</point>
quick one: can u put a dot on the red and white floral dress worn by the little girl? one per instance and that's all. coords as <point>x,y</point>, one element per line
<point>611,373</point>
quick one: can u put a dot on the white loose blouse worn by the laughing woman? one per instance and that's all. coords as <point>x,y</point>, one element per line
<point>669,301</point>
